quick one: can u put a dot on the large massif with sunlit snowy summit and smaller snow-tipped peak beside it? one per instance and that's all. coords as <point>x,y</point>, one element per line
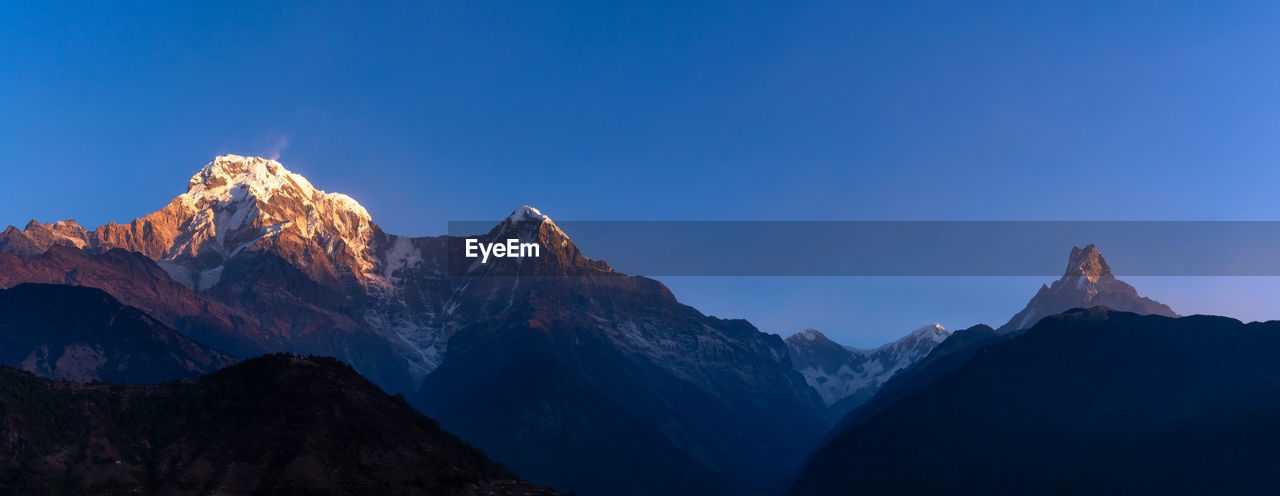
<point>595,366</point>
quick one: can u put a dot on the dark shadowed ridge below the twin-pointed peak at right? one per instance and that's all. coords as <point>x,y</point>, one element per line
<point>1089,402</point>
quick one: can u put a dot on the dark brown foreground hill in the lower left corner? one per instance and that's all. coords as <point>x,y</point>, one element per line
<point>280,425</point>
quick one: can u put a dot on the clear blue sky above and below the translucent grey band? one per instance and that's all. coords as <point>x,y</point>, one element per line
<point>810,111</point>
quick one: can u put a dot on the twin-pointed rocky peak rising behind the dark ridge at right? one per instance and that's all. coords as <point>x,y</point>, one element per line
<point>1087,283</point>
